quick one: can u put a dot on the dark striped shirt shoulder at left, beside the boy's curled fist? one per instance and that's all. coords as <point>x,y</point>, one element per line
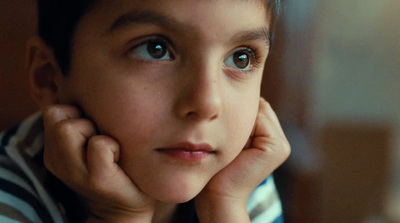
<point>20,197</point>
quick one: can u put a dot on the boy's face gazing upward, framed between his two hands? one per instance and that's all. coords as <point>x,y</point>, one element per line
<point>176,83</point>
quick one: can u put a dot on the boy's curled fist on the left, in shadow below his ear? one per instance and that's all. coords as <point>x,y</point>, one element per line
<point>87,163</point>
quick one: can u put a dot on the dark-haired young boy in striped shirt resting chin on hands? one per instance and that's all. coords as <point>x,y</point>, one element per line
<point>151,113</point>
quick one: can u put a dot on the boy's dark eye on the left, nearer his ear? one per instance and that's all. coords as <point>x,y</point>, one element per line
<point>152,49</point>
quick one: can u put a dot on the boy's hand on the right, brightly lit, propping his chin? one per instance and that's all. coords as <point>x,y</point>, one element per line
<point>228,191</point>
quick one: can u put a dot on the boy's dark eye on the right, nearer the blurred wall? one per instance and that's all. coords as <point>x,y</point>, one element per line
<point>240,59</point>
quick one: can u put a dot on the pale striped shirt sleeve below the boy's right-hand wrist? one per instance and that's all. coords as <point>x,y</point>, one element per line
<point>264,205</point>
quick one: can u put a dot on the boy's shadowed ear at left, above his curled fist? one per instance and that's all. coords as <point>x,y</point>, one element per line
<point>43,71</point>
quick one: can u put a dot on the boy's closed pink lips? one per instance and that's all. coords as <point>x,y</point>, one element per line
<point>187,151</point>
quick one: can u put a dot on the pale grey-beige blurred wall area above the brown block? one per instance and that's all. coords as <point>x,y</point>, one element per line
<point>357,64</point>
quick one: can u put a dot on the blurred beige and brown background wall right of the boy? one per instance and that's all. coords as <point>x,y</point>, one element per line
<point>341,73</point>
